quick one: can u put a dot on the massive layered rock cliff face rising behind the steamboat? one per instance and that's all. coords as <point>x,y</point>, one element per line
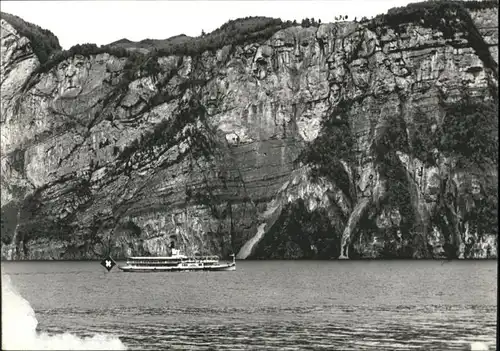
<point>333,141</point>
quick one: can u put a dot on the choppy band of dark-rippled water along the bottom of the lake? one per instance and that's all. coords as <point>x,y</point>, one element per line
<point>365,328</point>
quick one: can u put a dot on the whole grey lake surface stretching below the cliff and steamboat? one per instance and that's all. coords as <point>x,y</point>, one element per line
<point>268,305</point>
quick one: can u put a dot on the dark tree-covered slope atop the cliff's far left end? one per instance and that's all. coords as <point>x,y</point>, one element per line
<point>43,41</point>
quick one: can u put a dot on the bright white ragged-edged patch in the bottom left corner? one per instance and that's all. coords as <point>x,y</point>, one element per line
<point>19,328</point>
